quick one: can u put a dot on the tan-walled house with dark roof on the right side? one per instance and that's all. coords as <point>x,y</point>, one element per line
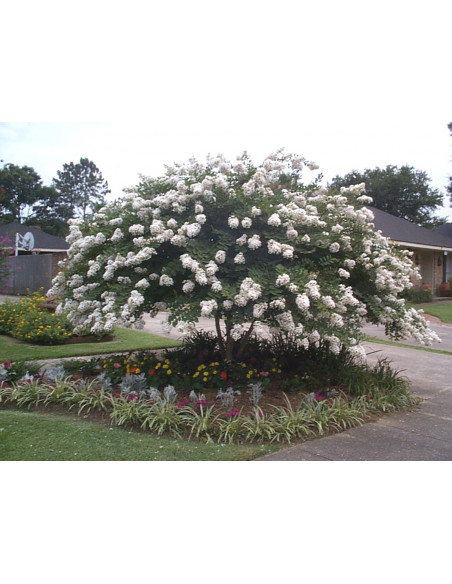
<point>432,250</point>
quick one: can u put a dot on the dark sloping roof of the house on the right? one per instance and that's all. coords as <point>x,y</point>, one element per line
<point>407,233</point>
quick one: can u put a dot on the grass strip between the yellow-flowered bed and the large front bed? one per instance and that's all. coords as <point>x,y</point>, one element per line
<point>124,340</point>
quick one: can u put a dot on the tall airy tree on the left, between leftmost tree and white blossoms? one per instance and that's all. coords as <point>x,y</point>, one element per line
<point>81,186</point>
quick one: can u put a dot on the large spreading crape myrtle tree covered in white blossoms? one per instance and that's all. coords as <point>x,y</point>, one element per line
<point>245,245</point>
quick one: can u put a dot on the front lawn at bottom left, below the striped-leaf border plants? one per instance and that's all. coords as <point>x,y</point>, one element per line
<point>33,436</point>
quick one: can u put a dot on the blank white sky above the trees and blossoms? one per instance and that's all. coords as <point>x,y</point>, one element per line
<point>350,85</point>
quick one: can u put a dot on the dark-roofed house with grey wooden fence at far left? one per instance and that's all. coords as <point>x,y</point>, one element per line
<point>32,269</point>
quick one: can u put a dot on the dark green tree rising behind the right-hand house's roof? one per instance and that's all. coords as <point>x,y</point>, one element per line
<point>403,192</point>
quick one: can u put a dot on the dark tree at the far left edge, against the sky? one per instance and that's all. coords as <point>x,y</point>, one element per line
<point>20,188</point>
